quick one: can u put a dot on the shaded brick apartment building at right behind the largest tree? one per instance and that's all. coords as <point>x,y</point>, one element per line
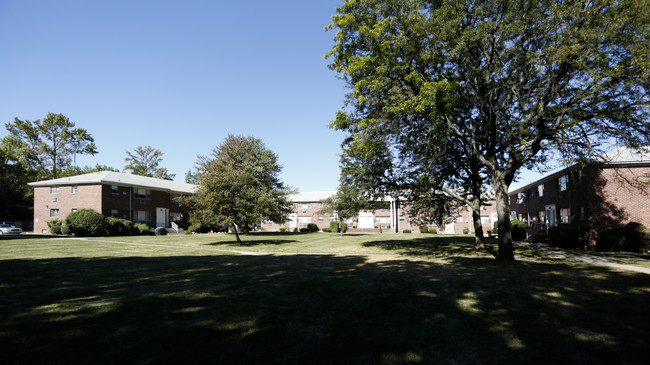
<point>606,193</point>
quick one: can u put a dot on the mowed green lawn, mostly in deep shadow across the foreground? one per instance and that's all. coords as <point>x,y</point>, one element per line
<point>310,299</point>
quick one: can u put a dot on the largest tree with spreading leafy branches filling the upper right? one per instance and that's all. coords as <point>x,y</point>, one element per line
<point>509,81</point>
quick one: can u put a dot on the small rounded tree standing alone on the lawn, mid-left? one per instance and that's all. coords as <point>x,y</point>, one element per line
<point>239,185</point>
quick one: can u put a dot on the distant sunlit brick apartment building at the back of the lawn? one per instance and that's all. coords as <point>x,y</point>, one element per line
<point>390,216</point>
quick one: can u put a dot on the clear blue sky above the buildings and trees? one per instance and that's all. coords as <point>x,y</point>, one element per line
<point>179,76</point>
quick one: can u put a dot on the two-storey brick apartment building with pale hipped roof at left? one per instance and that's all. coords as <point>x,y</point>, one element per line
<point>136,198</point>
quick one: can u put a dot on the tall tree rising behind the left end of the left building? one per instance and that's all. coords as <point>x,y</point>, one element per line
<point>52,144</point>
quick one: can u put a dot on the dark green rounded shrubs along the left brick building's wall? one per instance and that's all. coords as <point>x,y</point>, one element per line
<point>87,222</point>
